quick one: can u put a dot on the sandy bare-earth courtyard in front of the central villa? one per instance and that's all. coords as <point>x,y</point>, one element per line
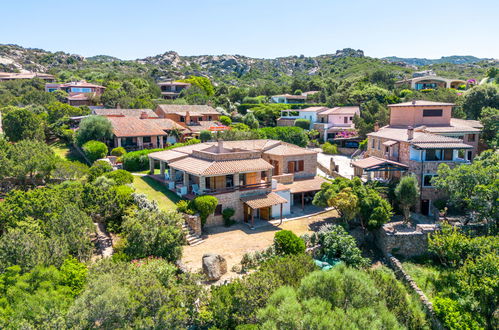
<point>232,243</point>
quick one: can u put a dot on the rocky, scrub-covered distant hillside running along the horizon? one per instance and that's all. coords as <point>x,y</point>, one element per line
<point>231,69</point>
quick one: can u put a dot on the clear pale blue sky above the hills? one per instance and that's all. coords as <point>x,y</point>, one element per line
<point>258,28</point>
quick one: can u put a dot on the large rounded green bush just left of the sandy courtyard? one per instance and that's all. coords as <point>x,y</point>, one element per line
<point>153,233</point>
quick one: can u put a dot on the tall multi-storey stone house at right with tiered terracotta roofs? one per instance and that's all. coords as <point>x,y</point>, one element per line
<point>421,136</point>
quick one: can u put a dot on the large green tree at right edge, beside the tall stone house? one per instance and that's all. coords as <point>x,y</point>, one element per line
<point>473,187</point>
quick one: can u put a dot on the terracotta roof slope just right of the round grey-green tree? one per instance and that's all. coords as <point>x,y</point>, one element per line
<point>132,126</point>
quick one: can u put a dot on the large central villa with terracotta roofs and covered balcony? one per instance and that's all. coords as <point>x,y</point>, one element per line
<point>256,178</point>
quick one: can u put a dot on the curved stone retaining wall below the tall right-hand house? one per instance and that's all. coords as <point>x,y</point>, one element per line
<point>404,241</point>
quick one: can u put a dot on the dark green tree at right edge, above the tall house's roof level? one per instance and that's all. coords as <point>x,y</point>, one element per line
<point>479,97</point>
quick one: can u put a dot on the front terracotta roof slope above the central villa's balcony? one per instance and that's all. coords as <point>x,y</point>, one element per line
<point>199,166</point>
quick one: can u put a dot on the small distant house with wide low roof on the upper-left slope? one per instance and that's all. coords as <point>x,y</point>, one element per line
<point>79,93</point>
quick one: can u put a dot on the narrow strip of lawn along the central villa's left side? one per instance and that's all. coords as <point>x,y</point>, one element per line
<point>156,191</point>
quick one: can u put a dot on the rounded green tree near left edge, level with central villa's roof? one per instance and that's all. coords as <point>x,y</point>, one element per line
<point>31,159</point>
